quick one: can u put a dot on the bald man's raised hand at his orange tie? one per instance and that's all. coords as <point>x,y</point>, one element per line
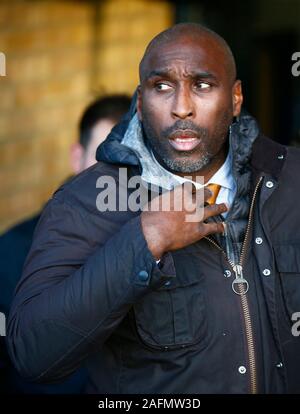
<point>170,230</point>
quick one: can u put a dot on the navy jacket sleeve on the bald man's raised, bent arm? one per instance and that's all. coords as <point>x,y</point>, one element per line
<point>78,283</point>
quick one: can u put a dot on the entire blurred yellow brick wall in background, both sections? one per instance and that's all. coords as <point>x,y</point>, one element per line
<point>59,55</point>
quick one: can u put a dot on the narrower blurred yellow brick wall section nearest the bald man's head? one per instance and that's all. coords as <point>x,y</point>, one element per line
<point>121,41</point>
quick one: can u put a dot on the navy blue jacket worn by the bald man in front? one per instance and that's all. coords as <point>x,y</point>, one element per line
<point>92,292</point>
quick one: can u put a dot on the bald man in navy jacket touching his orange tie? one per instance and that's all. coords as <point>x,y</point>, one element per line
<point>154,302</point>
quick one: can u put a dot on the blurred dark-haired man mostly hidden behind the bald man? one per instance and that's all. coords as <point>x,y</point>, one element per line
<point>95,124</point>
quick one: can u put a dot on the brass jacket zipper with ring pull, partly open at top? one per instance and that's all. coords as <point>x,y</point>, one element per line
<point>240,286</point>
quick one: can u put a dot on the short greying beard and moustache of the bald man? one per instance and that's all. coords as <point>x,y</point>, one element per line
<point>183,162</point>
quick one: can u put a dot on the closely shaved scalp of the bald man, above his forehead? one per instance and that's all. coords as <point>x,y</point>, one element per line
<point>190,32</point>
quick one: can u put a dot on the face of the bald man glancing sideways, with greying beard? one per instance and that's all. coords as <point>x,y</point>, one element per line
<point>186,103</point>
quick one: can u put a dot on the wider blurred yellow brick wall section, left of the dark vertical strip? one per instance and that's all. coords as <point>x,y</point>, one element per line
<point>47,47</point>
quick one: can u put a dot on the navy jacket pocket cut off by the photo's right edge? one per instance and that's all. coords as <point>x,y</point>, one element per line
<point>287,257</point>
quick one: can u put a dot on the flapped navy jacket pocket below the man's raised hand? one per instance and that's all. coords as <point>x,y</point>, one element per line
<point>173,316</point>
